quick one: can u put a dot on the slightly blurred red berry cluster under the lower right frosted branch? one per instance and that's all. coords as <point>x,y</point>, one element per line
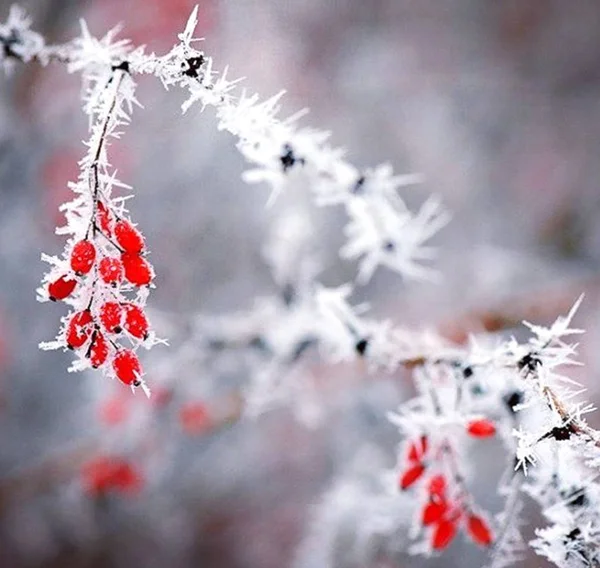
<point>441,514</point>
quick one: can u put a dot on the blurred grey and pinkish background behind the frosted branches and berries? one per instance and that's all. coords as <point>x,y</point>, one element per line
<point>496,103</point>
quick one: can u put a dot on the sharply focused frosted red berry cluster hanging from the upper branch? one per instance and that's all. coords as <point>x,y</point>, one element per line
<point>112,266</point>
